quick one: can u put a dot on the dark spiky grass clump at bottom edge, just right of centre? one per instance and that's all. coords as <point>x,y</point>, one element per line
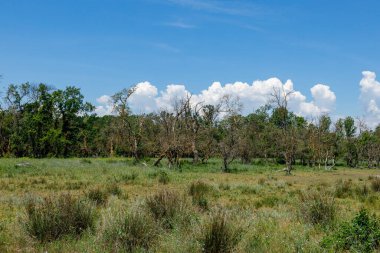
<point>219,235</point>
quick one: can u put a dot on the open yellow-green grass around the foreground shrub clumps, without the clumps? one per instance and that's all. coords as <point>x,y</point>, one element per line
<point>261,202</point>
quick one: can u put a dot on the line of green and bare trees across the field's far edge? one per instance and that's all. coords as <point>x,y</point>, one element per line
<point>39,121</point>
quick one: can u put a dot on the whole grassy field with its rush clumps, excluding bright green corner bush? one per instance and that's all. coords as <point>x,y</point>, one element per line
<point>139,208</point>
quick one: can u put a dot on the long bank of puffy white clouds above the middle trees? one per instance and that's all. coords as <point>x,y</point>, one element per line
<point>147,99</point>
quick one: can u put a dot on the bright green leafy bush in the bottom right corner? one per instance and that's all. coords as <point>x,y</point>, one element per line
<point>362,234</point>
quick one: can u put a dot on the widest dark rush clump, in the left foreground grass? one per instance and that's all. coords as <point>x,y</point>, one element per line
<point>51,218</point>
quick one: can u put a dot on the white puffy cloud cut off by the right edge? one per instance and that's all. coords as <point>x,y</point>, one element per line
<point>370,97</point>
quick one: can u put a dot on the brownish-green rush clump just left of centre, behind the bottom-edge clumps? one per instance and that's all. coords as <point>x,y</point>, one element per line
<point>167,207</point>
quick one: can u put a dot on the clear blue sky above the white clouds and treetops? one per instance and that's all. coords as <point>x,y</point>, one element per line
<point>103,46</point>
